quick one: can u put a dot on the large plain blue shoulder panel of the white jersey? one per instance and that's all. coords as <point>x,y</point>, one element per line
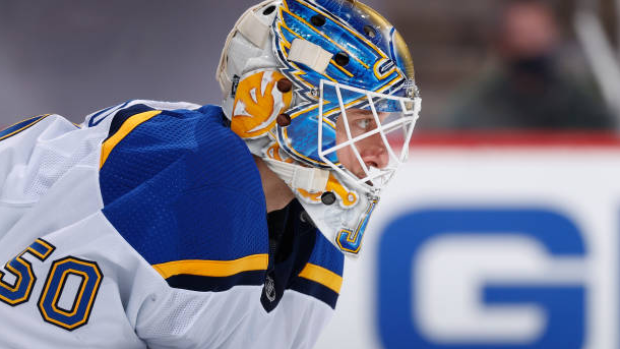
<point>181,186</point>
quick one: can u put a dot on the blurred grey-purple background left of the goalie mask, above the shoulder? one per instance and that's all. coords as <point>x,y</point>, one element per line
<point>73,57</point>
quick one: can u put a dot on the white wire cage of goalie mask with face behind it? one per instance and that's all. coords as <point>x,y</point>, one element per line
<point>365,135</point>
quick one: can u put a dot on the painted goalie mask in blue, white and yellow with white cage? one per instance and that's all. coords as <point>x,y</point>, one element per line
<point>324,92</point>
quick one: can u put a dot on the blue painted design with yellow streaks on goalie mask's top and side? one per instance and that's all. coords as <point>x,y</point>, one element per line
<point>373,57</point>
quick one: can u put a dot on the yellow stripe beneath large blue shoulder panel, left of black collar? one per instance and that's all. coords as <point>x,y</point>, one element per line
<point>213,268</point>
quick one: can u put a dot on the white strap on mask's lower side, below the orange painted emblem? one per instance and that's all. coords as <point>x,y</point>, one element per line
<point>310,179</point>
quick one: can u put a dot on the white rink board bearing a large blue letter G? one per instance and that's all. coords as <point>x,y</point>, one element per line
<point>485,247</point>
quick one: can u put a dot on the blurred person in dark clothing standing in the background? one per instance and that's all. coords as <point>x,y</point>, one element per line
<point>527,86</point>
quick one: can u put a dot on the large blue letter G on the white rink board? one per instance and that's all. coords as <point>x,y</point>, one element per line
<point>563,305</point>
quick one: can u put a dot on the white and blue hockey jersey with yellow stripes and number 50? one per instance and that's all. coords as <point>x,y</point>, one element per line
<point>146,227</point>
